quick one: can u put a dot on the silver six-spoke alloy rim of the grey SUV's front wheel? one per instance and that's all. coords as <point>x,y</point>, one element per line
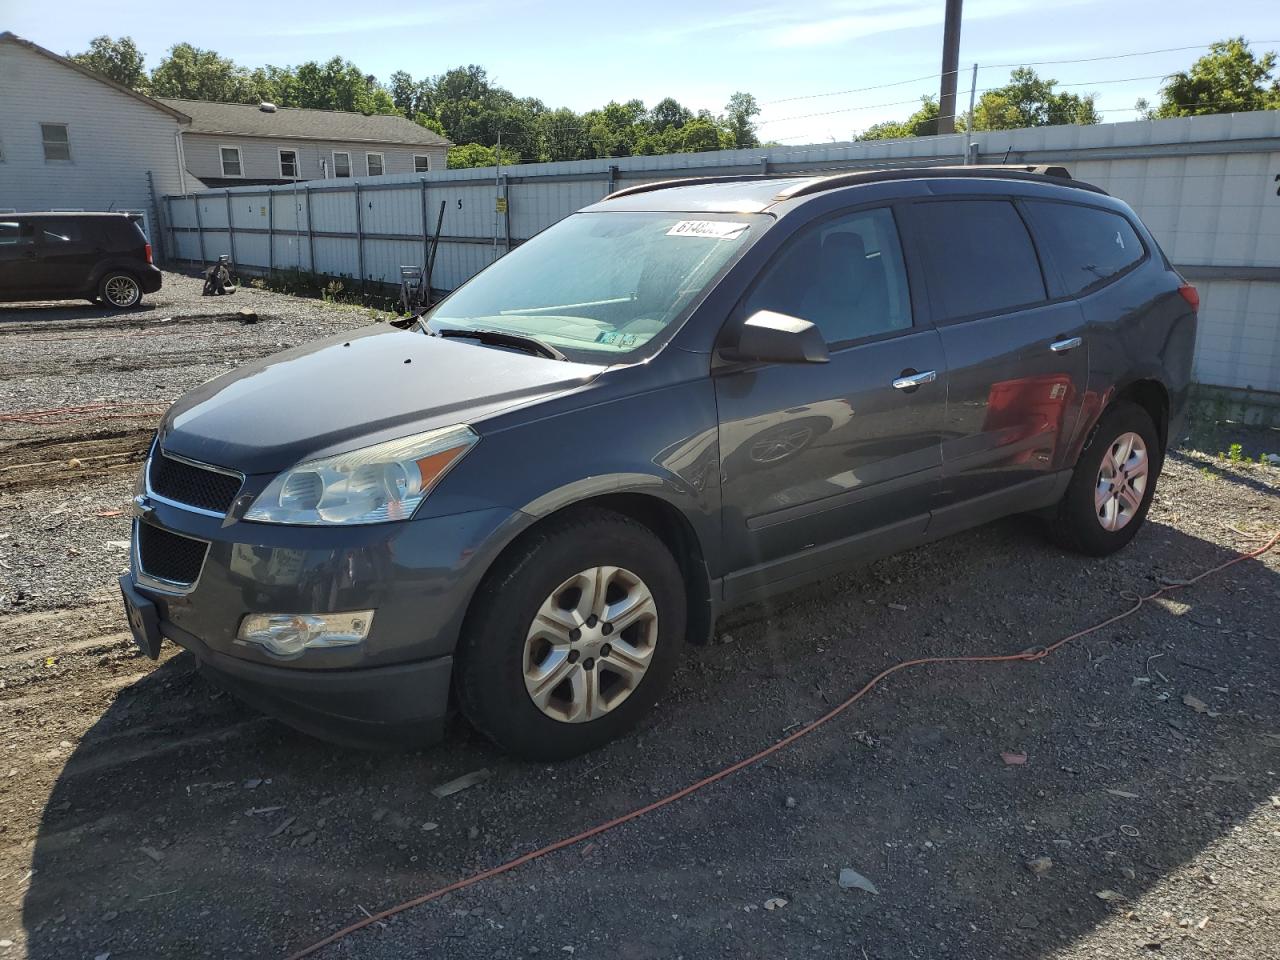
<point>591,644</point>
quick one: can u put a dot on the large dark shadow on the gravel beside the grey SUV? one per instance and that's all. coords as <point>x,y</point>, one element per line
<point>186,825</point>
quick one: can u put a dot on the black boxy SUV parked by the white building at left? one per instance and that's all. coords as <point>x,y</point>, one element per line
<point>103,258</point>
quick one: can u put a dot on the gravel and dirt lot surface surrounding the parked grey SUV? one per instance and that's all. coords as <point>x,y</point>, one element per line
<point>147,815</point>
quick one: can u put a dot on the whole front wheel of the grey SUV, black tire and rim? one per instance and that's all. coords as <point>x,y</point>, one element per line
<point>508,650</point>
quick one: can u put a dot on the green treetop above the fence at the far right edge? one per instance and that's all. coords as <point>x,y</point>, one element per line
<point>1229,79</point>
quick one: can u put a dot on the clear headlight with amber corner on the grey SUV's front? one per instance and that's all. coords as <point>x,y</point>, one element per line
<point>371,486</point>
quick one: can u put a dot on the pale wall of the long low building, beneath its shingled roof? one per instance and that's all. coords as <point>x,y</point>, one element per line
<point>260,157</point>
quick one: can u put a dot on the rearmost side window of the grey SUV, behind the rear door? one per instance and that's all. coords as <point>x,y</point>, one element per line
<point>1090,246</point>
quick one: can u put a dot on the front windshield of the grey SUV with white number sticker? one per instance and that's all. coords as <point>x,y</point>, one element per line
<point>600,287</point>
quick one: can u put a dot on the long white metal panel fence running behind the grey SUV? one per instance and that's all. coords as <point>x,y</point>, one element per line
<point>1206,186</point>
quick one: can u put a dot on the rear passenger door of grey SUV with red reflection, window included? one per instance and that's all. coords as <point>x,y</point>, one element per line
<point>1017,356</point>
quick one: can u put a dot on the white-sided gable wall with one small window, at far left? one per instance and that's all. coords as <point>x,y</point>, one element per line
<point>115,140</point>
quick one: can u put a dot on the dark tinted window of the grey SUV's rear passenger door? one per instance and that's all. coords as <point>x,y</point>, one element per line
<point>979,258</point>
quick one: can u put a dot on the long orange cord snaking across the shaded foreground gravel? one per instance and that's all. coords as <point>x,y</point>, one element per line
<point>1031,656</point>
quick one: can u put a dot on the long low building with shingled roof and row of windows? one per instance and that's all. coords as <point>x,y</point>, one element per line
<point>235,145</point>
